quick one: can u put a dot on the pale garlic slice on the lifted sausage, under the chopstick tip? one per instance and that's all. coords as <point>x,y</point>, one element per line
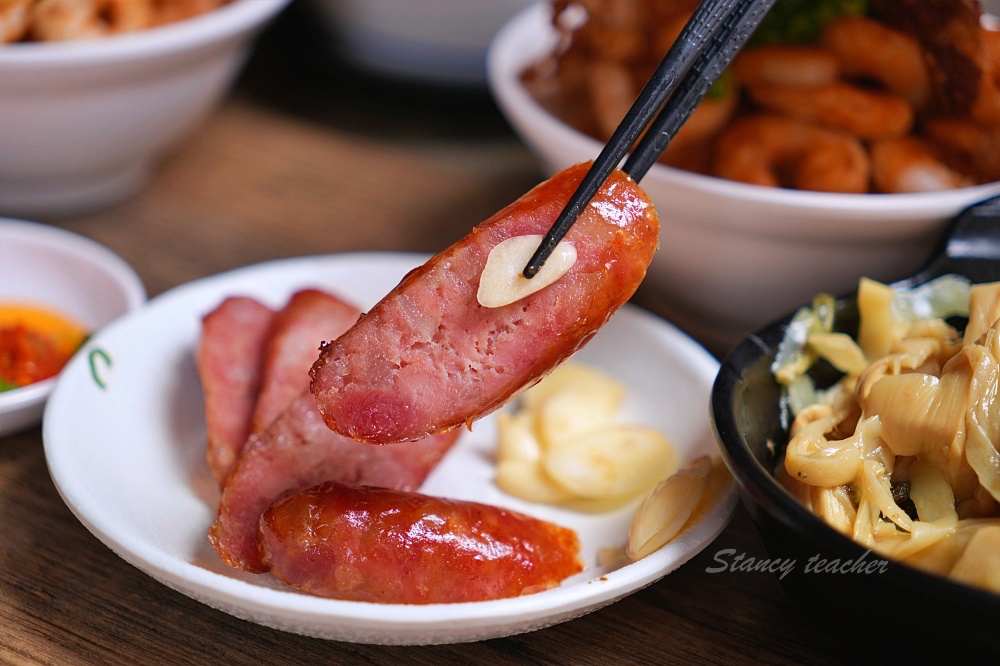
<point>502,282</point>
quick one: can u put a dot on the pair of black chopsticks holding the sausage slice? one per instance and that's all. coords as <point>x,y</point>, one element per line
<point>707,44</point>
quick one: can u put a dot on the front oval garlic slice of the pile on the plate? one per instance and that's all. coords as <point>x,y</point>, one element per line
<point>613,461</point>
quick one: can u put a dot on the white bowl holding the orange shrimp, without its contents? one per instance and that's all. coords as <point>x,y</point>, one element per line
<point>732,256</point>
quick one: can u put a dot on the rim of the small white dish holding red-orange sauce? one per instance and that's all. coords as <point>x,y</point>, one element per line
<point>68,242</point>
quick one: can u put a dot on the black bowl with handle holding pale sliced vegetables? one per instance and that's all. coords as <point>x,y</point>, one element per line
<point>858,594</point>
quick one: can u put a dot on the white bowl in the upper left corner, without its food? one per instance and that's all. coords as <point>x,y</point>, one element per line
<point>84,123</point>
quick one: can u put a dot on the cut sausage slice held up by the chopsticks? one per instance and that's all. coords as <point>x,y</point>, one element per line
<point>428,357</point>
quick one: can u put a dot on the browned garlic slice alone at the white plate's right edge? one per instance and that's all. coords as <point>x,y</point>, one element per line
<point>668,507</point>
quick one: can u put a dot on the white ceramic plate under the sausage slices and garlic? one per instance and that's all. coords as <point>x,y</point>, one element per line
<point>128,459</point>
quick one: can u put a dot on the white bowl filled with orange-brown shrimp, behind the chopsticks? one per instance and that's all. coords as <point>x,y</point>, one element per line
<point>736,254</point>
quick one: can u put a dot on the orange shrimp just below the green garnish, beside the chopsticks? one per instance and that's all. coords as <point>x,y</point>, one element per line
<point>786,64</point>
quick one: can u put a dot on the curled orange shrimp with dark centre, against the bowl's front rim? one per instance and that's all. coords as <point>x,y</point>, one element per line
<point>784,152</point>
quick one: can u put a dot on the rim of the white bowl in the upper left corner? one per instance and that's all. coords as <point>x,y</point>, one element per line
<point>231,19</point>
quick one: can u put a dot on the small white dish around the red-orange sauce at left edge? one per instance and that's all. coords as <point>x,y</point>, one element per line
<point>71,274</point>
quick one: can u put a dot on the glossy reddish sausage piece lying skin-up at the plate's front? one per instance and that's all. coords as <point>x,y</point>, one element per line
<point>385,546</point>
